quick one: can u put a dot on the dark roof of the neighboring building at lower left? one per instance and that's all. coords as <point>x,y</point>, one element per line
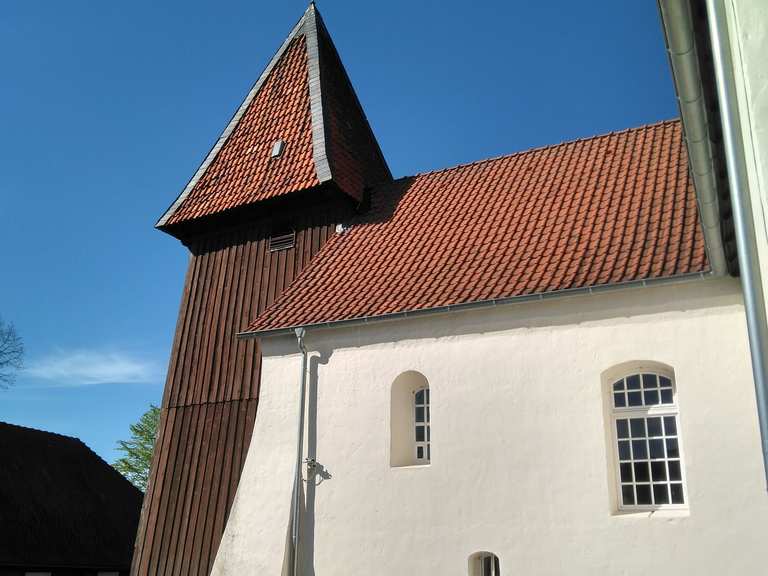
<point>61,505</point>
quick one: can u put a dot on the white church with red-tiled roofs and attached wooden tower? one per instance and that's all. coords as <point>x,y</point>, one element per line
<point>523,365</point>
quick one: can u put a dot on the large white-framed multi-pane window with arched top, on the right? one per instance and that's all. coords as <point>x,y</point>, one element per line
<point>647,442</point>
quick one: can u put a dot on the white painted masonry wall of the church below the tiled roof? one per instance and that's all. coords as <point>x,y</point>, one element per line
<point>520,450</point>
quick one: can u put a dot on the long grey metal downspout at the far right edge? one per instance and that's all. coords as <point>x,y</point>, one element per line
<point>754,302</point>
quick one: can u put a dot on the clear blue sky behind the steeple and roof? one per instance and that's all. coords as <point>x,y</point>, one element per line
<point>107,109</point>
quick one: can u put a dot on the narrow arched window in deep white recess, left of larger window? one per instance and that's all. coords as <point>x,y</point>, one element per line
<point>410,430</point>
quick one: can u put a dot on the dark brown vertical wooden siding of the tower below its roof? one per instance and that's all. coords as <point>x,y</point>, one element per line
<point>211,396</point>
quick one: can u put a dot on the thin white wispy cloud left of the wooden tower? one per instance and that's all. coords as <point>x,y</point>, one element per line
<point>88,367</point>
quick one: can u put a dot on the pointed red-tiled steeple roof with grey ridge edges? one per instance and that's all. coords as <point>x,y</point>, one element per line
<point>300,126</point>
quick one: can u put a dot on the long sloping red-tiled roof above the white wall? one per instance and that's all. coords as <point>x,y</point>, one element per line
<point>610,209</point>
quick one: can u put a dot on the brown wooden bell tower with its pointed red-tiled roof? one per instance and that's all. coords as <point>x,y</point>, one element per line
<point>296,159</point>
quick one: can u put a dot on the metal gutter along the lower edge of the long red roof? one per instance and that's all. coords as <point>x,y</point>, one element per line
<point>478,304</point>
